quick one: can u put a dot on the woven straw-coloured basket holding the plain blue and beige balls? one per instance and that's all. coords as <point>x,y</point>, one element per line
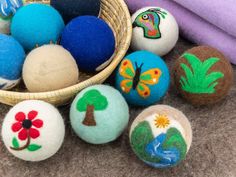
<point>116,14</point>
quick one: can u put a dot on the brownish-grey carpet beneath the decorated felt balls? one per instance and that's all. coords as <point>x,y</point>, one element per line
<point>213,151</point>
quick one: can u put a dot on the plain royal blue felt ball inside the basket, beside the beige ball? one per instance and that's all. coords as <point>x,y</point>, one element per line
<point>91,42</point>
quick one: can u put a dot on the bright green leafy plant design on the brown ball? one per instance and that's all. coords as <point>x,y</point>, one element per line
<point>197,79</point>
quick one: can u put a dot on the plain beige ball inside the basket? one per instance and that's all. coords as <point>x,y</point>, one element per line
<point>49,68</point>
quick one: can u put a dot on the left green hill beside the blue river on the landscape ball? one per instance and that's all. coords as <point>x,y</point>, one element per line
<point>140,137</point>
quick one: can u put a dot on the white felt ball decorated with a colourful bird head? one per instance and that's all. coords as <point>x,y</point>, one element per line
<point>155,30</point>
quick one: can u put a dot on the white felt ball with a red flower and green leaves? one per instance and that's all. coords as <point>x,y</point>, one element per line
<point>33,130</point>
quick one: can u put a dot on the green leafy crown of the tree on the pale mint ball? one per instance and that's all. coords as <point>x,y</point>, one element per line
<point>92,97</point>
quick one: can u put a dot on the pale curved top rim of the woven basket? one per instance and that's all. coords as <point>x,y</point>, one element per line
<point>99,76</point>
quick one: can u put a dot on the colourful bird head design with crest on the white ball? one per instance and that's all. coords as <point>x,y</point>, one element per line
<point>150,22</point>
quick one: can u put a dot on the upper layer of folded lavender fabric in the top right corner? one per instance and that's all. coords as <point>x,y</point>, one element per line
<point>219,13</point>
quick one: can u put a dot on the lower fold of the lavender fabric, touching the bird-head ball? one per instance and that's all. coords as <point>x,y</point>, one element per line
<point>193,27</point>
